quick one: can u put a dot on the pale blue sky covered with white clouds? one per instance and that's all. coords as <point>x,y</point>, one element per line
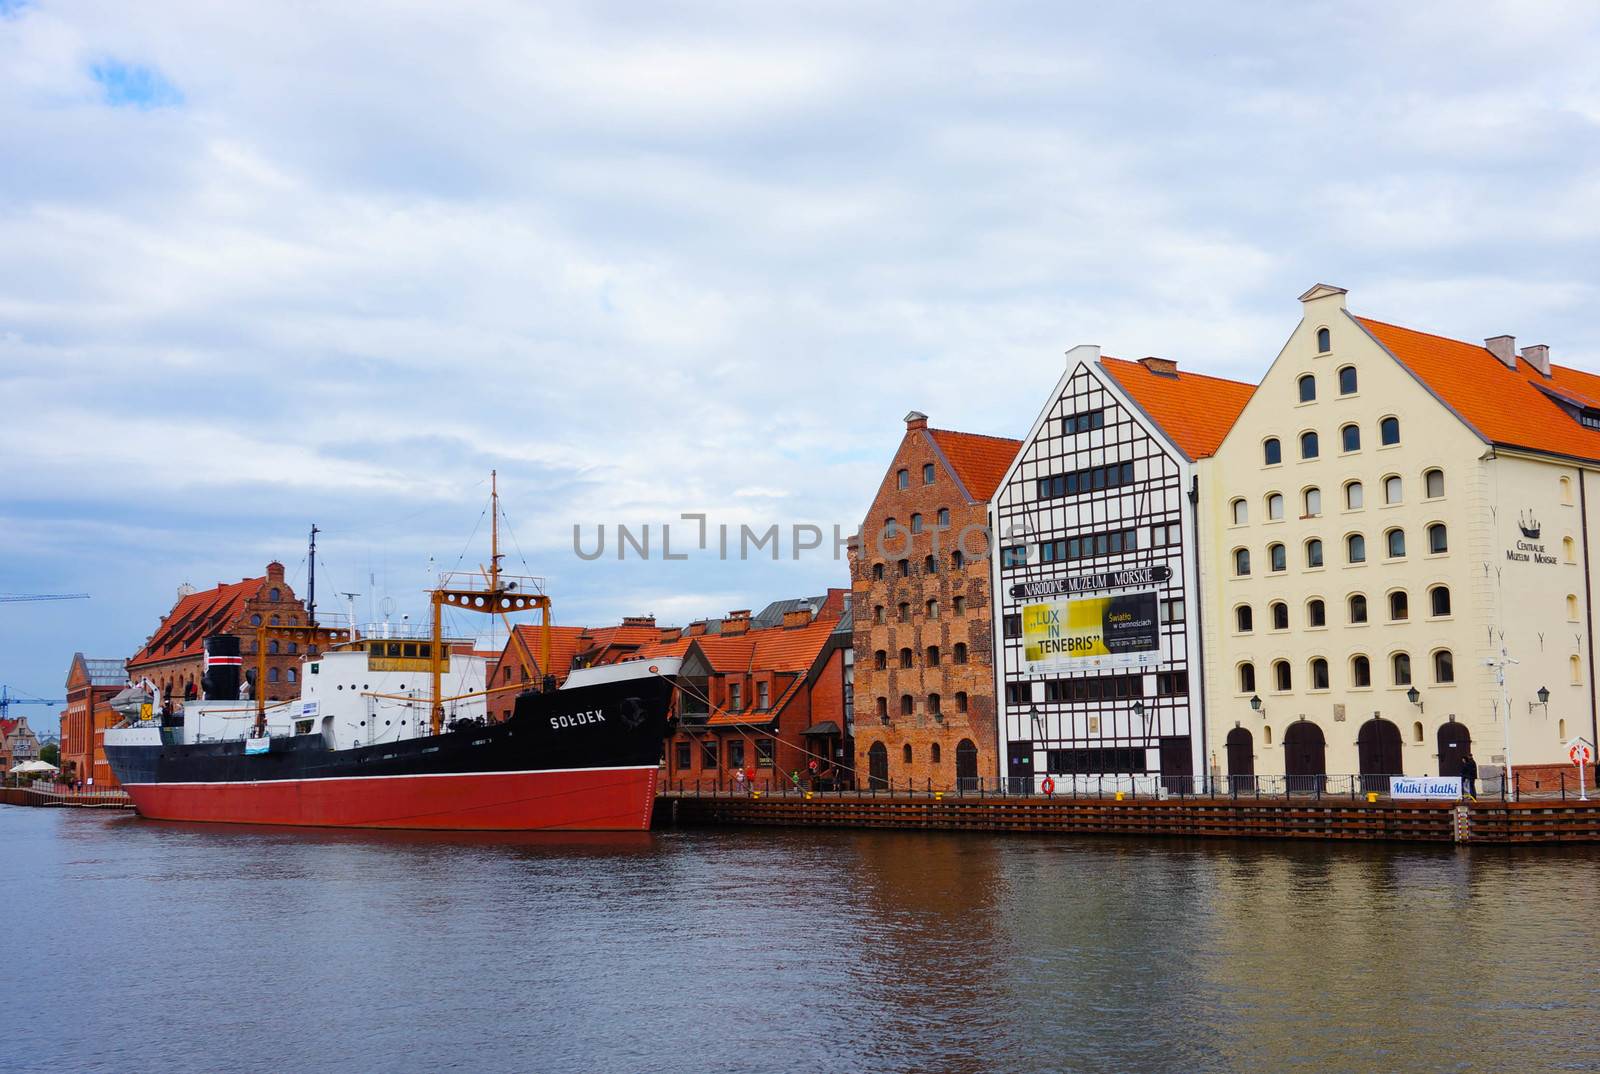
<point>266,266</point>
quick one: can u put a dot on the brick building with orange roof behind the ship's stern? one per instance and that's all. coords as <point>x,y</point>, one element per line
<point>174,657</point>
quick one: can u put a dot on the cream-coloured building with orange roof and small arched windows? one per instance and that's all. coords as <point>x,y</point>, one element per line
<point>1401,513</point>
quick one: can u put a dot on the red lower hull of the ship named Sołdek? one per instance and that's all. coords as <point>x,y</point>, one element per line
<point>572,799</point>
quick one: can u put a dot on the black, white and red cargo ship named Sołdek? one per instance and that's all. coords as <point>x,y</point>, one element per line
<point>374,742</point>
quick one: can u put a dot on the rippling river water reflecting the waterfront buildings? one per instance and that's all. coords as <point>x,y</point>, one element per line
<point>143,947</point>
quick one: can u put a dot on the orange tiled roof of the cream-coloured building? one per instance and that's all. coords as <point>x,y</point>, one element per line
<point>1503,406</point>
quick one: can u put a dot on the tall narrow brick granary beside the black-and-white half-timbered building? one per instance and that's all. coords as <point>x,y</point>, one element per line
<point>924,633</point>
